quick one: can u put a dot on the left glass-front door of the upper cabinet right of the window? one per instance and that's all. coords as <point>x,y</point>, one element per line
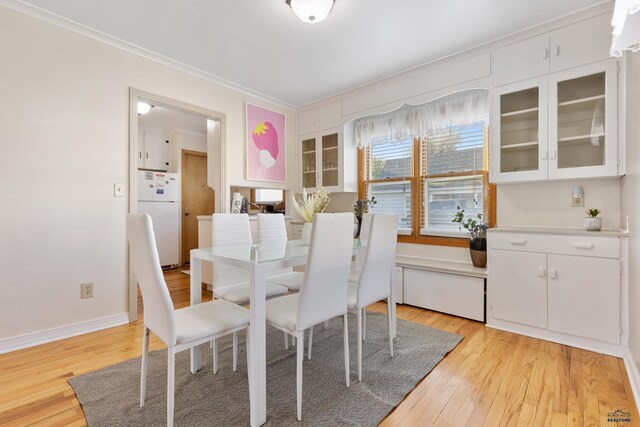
<point>519,144</point>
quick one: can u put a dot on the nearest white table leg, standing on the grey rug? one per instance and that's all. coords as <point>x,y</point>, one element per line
<point>257,352</point>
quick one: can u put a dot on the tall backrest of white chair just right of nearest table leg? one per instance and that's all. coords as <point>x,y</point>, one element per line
<point>323,294</point>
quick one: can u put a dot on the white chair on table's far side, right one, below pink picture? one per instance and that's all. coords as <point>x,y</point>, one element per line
<point>272,230</point>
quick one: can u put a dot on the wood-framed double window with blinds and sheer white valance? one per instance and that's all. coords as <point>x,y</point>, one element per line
<point>423,162</point>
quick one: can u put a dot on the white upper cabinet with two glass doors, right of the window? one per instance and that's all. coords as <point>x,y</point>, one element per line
<point>563,126</point>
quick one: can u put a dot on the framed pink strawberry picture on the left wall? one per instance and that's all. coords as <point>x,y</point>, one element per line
<point>265,145</point>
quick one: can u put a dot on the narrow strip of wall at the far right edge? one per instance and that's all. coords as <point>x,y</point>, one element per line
<point>631,200</point>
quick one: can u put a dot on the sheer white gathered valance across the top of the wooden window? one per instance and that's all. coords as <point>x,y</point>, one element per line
<point>458,109</point>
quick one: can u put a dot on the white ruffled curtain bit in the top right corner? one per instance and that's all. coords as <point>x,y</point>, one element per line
<point>626,27</point>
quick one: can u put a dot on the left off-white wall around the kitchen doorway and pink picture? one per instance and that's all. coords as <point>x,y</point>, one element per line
<point>64,114</point>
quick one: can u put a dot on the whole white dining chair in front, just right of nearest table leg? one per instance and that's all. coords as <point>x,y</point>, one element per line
<point>323,294</point>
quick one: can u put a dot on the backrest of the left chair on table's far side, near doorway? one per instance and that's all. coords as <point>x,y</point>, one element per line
<point>232,232</point>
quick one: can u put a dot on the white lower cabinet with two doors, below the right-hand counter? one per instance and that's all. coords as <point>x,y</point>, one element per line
<point>564,288</point>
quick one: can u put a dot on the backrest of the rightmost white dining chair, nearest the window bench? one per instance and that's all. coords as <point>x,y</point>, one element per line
<point>379,260</point>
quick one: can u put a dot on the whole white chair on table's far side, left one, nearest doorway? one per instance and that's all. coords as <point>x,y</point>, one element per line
<point>233,233</point>
